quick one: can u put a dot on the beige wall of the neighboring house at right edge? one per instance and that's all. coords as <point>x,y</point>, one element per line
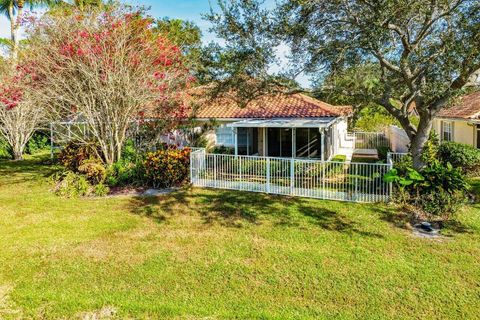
<point>462,131</point>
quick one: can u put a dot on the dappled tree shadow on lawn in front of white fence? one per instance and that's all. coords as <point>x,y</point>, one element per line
<point>238,209</point>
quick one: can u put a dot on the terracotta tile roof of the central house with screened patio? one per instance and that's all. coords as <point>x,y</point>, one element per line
<point>275,106</point>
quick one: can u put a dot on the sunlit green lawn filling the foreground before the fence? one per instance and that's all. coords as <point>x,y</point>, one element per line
<point>210,253</point>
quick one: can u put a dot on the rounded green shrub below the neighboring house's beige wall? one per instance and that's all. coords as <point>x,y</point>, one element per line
<point>462,156</point>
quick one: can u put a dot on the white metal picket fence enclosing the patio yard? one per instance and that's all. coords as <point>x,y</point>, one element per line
<point>358,182</point>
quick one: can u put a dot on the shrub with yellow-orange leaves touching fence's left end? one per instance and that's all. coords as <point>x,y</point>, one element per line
<point>167,168</point>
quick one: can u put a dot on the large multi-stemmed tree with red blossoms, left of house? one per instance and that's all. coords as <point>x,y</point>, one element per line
<point>109,69</point>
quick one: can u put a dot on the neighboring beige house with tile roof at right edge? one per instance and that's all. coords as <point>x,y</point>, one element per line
<point>460,122</point>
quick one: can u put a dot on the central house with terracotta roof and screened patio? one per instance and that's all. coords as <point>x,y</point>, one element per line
<point>279,126</point>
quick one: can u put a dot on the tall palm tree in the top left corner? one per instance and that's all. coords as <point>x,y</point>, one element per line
<point>13,9</point>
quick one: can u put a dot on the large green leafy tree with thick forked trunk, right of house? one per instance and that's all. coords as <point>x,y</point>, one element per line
<point>426,51</point>
